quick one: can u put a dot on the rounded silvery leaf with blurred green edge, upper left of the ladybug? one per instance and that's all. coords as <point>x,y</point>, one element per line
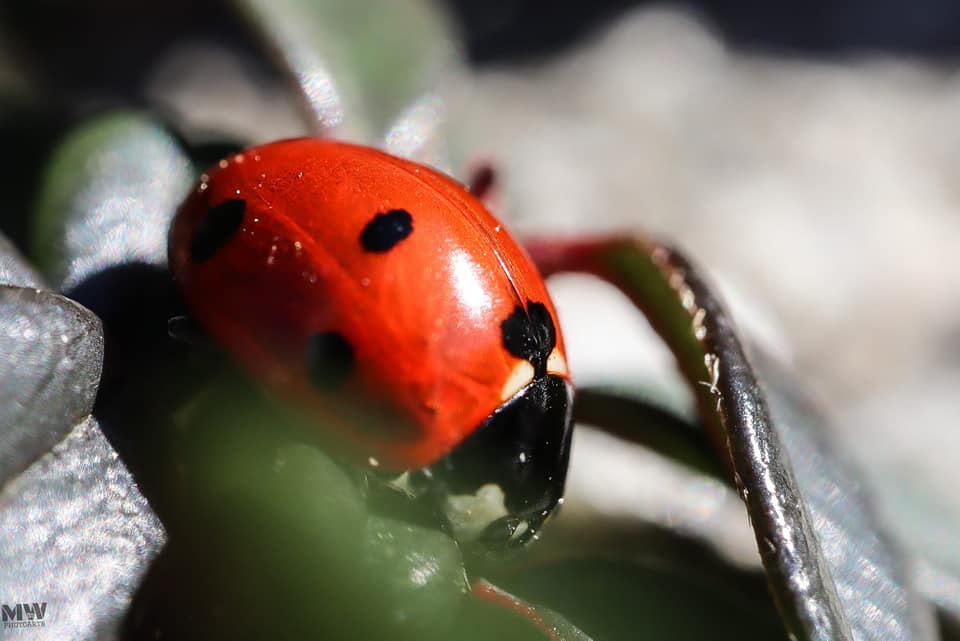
<point>107,198</point>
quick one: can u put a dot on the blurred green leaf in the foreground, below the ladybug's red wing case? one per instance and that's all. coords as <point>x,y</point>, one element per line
<point>261,504</point>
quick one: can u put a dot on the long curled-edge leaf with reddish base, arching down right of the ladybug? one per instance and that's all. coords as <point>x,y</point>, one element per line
<point>832,569</point>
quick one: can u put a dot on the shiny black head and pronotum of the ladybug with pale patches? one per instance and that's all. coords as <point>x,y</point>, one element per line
<point>500,484</point>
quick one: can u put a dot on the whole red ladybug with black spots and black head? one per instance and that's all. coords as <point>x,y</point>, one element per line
<point>383,298</point>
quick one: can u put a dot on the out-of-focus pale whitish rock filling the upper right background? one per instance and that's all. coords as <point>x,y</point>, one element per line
<point>821,194</point>
